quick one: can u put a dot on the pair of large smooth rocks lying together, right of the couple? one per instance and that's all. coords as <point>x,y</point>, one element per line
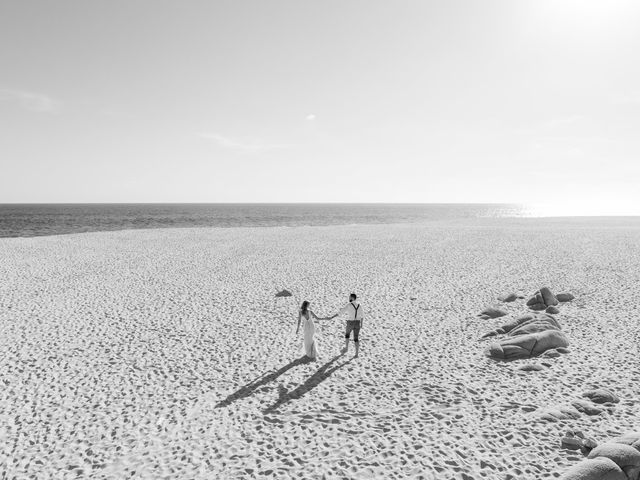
<point>528,336</point>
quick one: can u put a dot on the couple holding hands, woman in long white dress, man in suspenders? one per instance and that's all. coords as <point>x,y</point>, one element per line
<point>354,313</point>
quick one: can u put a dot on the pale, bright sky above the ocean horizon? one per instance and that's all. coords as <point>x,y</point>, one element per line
<point>321,101</point>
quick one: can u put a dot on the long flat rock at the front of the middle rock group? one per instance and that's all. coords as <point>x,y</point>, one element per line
<point>529,345</point>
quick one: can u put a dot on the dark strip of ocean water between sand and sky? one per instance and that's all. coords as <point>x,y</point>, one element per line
<point>29,220</point>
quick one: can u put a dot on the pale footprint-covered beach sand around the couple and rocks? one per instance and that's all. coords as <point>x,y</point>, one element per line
<point>165,354</point>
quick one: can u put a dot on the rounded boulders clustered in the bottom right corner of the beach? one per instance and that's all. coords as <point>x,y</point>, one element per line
<point>618,459</point>
